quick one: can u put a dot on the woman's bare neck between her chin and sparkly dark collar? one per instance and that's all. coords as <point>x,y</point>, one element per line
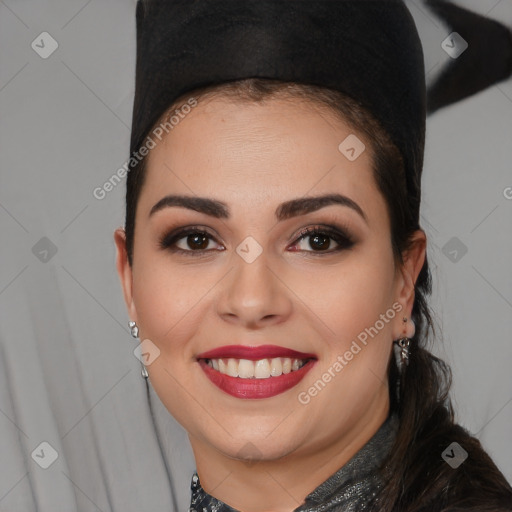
<point>281,485</point>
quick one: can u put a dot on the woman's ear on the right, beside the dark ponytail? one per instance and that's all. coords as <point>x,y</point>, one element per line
<point>413,259</point>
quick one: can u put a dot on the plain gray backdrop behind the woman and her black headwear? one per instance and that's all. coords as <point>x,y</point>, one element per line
<point>68,375</point>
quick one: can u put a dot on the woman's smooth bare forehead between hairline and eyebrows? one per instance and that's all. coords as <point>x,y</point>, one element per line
<point>257,155</point>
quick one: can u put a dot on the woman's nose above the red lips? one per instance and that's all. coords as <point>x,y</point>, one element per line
<point>254,294</point>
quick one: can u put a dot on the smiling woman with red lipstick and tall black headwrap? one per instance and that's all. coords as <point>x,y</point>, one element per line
<point>273,264</point>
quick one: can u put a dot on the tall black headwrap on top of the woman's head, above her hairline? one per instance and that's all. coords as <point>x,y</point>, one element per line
<point>367,49</point>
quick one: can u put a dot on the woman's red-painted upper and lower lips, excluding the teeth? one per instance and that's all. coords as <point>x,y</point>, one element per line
<point>252,388</point>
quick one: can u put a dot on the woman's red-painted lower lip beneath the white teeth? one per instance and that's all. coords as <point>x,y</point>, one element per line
<point>256,388</point>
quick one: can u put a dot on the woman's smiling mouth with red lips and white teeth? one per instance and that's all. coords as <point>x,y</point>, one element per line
<point>244,372</point>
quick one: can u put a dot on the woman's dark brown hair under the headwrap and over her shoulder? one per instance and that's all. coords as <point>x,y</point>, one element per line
<point>416,477</point>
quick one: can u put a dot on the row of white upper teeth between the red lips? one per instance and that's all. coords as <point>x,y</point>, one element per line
<point>261,369</point>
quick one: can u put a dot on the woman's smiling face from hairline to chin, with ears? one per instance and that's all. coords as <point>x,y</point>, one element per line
<point>334,298</point>
